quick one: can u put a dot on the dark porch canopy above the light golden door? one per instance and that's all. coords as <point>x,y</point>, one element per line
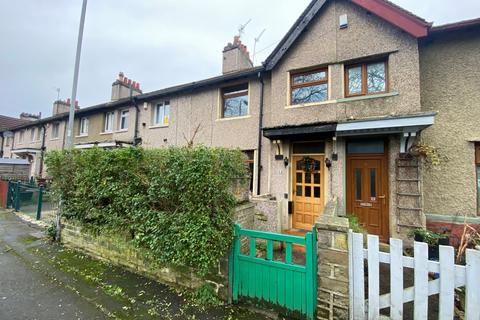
<point>318,130</point>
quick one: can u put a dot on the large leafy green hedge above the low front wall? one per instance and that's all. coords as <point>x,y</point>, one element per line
<point>177,203</point>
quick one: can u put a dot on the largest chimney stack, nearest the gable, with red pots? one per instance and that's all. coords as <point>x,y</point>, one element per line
<point>236,56</point>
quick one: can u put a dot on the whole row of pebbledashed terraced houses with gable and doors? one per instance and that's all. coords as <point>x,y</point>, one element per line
<point>326,123</point>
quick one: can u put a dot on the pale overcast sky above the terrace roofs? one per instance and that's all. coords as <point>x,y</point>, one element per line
<point>158,43</point>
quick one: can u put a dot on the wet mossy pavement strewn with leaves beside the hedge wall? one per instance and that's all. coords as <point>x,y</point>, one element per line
<point>41,280</point>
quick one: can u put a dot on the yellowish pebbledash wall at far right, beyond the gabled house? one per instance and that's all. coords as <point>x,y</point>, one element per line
<point>450,190</point>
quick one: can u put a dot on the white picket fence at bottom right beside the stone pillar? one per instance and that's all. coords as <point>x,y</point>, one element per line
<point>451,276</point>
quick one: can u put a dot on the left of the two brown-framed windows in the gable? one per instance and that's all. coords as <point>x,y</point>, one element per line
<point>310,86</point>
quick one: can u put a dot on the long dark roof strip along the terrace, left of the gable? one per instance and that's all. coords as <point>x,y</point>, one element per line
<point>248,73</point>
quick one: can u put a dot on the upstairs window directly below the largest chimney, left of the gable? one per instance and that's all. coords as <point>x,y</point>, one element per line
<point>235,101</point>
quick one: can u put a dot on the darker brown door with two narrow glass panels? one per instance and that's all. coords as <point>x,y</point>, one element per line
<point>367,194</point>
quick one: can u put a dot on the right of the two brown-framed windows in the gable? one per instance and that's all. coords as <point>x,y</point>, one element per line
<point>366,78</point>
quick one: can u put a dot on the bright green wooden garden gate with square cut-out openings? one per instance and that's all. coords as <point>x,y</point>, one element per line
<point>281,282</point>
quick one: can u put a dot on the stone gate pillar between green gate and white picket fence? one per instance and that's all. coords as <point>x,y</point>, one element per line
<point>332,248</point>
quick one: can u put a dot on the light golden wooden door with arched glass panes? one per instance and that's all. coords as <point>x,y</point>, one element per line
<point>308,193</point>
